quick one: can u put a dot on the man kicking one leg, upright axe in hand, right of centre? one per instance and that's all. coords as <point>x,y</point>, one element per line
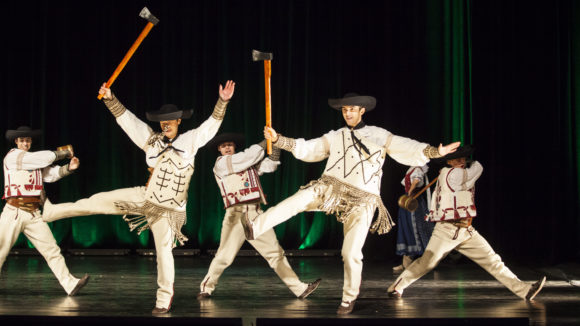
<point>350,184</point>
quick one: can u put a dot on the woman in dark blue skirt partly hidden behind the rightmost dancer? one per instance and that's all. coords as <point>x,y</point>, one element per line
<point>413,231</point>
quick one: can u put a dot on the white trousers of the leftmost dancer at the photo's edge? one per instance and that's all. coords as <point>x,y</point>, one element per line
<point>14,221</point>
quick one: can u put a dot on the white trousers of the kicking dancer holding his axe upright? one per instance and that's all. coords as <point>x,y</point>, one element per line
<point>355,231</point>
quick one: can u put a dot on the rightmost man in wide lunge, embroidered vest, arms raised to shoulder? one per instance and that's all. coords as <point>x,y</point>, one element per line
<point>452,210</point>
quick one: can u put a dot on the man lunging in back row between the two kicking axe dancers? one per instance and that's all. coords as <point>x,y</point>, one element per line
<point>237,176</point>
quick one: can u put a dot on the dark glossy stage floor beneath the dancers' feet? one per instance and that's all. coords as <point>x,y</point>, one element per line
<point>122,290</point>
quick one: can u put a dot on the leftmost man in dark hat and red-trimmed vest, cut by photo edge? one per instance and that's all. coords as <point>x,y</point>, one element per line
<point>24,174</point>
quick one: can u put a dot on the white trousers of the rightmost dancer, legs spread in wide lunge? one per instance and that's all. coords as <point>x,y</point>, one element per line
<point>472,245</point>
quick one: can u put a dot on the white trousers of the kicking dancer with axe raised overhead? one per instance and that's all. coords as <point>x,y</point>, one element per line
<point>104,203</point>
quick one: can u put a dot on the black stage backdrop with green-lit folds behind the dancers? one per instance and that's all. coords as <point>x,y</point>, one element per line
<point>502,75</point>
